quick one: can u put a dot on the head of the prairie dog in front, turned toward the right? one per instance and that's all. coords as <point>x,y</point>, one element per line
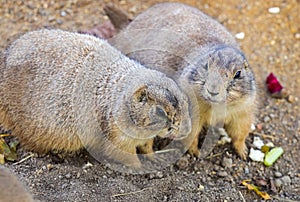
<point>156,108</point>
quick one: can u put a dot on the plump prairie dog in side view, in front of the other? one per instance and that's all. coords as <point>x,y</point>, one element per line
<point>62,91</point>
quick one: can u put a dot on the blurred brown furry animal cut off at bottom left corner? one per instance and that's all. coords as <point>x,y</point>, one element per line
<point>11,189</point>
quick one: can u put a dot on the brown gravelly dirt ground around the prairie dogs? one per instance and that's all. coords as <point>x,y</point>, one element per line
<point>271,44</point>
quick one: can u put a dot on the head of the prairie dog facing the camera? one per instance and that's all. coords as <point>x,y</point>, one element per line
<point>222,76</point>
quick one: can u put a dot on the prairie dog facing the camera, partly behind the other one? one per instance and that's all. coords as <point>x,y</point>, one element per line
<point>186,44</point>
